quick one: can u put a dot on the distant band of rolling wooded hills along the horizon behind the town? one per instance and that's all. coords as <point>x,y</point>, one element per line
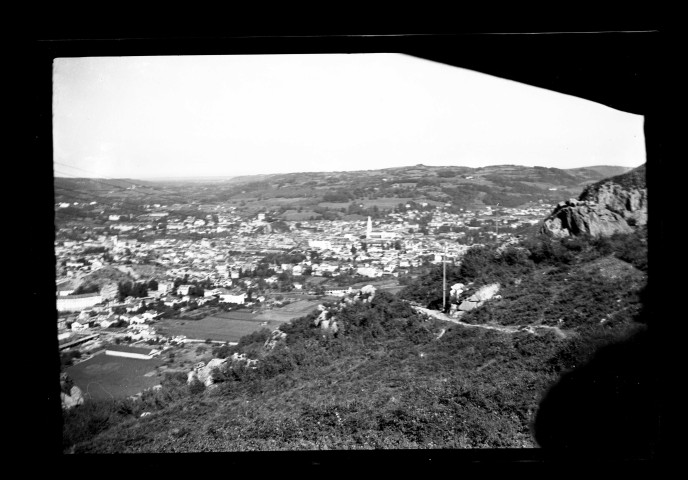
<point>348,194</point>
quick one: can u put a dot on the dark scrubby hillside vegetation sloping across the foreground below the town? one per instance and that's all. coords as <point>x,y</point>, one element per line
<point>390,378</point>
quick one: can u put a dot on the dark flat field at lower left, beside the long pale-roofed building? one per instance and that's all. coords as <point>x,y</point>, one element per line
<point>105,377</point>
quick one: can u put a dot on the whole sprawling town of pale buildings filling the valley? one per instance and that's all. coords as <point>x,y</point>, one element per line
<point>389,246</point>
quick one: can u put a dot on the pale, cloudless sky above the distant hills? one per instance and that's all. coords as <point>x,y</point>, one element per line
<point>175,116</point>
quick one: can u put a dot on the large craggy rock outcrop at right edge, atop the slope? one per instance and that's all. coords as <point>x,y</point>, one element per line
<point>616,205</point>
